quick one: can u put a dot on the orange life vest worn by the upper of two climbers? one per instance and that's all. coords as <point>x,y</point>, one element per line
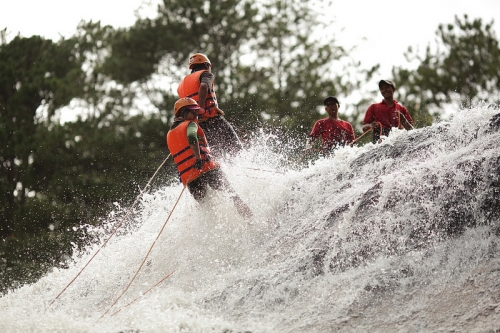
<point>190,86</point>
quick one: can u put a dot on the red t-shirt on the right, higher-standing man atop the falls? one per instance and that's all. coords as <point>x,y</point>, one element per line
<point>386,115</point>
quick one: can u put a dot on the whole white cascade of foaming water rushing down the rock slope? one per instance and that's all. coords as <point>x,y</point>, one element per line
<point>353,243</point>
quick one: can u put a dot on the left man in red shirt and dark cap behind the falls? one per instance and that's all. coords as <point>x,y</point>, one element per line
<point>334,132</point>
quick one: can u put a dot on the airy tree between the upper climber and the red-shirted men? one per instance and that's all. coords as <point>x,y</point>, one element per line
<point>291,73</point>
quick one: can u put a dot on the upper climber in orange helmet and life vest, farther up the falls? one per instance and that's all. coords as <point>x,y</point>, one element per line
<point>199,85</point>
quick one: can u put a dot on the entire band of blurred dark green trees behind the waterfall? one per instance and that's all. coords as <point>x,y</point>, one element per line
<point>271,71</point>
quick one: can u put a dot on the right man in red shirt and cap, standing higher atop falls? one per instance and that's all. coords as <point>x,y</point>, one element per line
<point>388,113</point>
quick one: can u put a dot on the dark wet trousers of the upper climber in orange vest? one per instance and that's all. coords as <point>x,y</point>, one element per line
<point>221,137</point>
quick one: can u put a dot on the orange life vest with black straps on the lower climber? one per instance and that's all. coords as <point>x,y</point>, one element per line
<point>183,154</point>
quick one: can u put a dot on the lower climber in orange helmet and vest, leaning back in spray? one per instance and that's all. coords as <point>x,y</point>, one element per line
<point>191,153</point>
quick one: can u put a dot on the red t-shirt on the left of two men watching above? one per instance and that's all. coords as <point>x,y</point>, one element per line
<point>333,132</point>
